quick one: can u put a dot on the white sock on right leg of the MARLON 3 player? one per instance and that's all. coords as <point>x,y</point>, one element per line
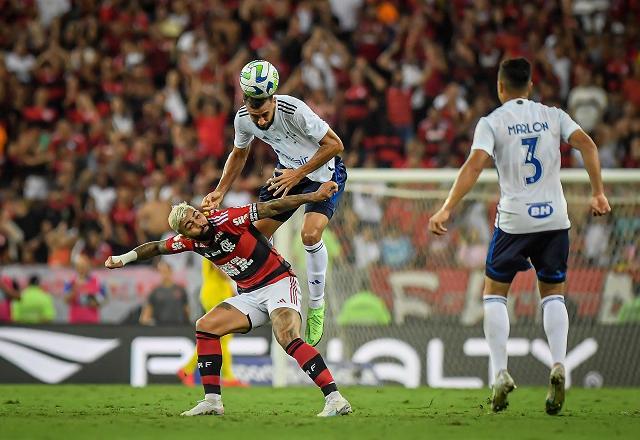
<point>556,325</point>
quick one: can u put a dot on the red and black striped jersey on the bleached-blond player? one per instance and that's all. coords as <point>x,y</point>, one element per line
<point>237,248</point>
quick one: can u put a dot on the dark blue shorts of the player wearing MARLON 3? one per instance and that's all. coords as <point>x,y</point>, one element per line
<point>547,251</point>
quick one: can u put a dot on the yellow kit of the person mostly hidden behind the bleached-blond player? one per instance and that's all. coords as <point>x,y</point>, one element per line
<point>216,287</point>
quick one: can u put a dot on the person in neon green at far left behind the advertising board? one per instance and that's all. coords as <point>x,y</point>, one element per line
<point>35,305</point>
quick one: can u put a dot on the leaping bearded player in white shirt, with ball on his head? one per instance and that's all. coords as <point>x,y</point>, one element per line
<point>307,150</point>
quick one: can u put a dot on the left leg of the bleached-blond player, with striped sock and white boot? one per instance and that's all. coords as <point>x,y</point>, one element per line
<point>218,322</point>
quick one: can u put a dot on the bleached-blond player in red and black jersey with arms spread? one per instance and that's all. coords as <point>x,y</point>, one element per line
<point>268,289</point>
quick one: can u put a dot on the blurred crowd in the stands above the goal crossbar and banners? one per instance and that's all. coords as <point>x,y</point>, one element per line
<point>112,110</point>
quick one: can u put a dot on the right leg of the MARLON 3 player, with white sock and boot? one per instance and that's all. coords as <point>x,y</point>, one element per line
<point>556,326</point>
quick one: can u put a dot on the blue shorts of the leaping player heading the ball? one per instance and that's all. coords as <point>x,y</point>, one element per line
<point>326,207</point>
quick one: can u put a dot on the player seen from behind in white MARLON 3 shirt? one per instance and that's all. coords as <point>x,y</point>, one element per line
<point>532,226</point>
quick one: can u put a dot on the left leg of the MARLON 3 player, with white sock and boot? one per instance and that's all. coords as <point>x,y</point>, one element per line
<point>496,331</point>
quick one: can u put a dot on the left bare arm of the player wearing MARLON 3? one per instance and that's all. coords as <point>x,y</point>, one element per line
<point>467,177</point>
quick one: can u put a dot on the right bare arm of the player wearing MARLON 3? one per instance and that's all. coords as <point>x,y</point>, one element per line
<point>583,143</point>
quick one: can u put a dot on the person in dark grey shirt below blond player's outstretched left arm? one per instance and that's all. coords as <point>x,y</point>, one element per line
<point>168,303</point>
